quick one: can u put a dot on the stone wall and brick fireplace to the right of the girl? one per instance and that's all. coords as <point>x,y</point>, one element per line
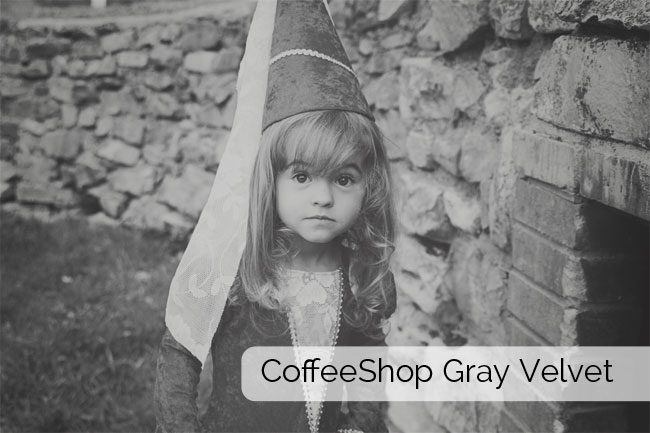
<point>475,80</point>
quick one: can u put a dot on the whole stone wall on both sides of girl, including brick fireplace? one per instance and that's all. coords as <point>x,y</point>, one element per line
<point>510,124</point>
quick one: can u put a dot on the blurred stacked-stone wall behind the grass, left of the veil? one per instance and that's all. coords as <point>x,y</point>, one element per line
<point>126,122</point>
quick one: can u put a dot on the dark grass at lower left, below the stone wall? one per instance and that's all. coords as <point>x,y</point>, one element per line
<point>81,316</point>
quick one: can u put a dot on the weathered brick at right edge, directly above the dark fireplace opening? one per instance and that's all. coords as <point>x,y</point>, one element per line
<point>618,179</point>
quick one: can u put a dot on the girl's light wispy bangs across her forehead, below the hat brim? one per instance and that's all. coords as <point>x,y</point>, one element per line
<point>324,141</point>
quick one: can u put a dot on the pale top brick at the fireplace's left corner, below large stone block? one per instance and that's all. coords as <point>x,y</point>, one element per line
<point>548,160</point>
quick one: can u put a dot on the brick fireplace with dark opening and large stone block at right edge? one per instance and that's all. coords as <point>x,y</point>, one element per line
<point>580,237</point>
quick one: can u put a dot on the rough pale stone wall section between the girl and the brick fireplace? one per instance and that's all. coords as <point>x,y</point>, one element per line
<point>447,94</point>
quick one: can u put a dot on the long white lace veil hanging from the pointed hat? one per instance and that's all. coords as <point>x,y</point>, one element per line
<point>199,289</point>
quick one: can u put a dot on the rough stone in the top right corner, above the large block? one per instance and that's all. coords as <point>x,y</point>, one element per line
<point>629,14</point>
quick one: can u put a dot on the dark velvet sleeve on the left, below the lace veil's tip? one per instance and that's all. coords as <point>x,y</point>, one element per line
<point>177,377</point>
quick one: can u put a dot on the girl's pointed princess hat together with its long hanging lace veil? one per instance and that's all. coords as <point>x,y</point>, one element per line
<point>294,63</point>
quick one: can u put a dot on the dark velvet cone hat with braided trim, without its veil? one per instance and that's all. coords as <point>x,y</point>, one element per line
<point>309,69</point>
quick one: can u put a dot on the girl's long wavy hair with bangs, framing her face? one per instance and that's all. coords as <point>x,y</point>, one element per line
<point>323,140</point>
